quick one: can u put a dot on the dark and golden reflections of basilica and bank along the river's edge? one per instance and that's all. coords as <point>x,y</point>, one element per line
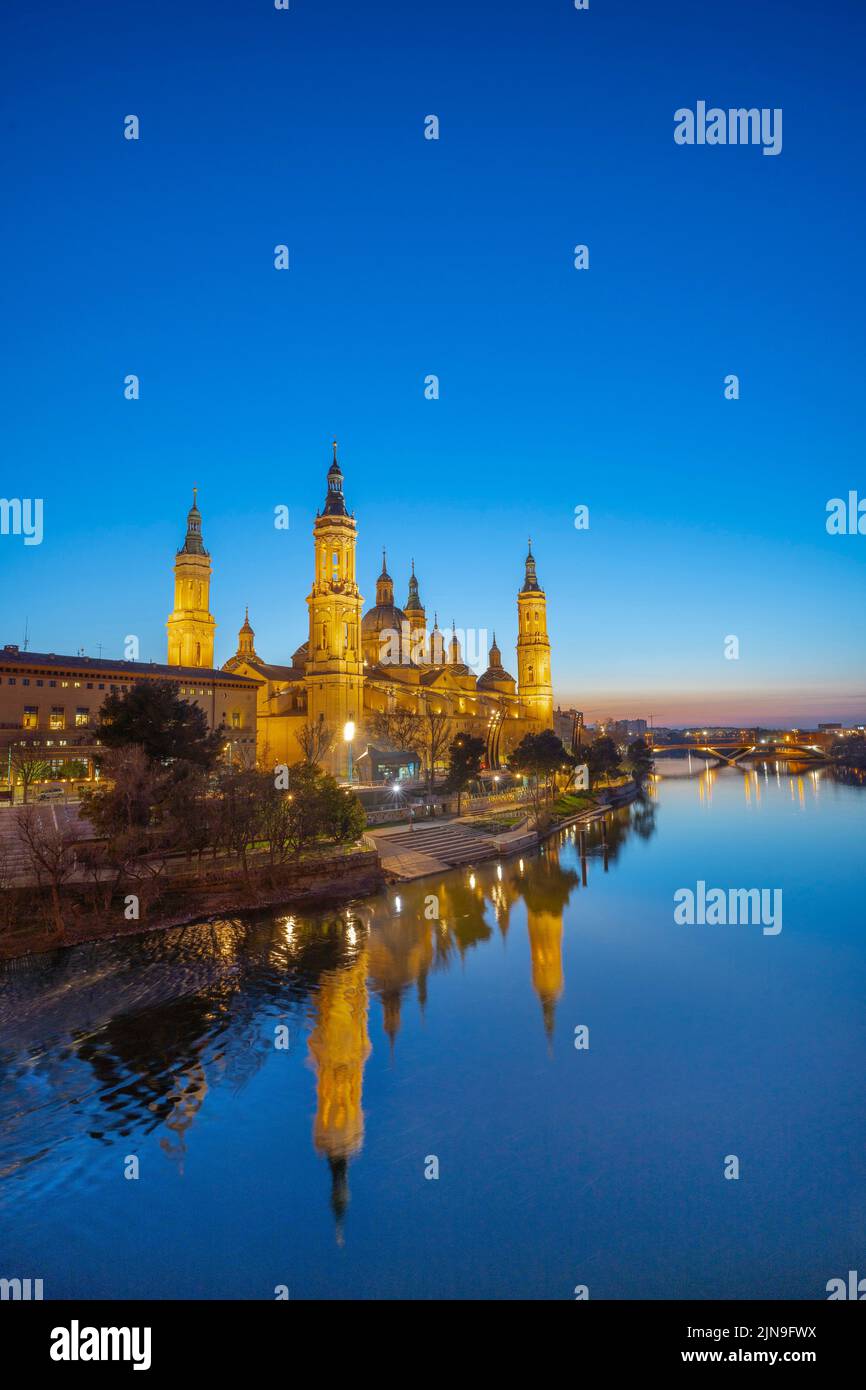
<point>109,1043</point>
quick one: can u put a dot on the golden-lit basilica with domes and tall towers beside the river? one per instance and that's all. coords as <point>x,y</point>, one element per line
<point>359,668</point>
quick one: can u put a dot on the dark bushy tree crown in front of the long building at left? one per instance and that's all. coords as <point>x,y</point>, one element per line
<point>155,718</point>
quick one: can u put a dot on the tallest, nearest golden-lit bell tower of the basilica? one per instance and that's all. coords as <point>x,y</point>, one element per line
<point>336,673</point>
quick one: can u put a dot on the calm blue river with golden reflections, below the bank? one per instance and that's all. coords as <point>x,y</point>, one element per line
<point>412,1038</point>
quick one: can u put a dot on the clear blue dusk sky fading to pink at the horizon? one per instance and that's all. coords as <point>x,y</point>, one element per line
<point>558,389</point>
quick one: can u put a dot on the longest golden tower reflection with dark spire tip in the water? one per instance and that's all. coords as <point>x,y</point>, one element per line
<point>340,1046</point>
